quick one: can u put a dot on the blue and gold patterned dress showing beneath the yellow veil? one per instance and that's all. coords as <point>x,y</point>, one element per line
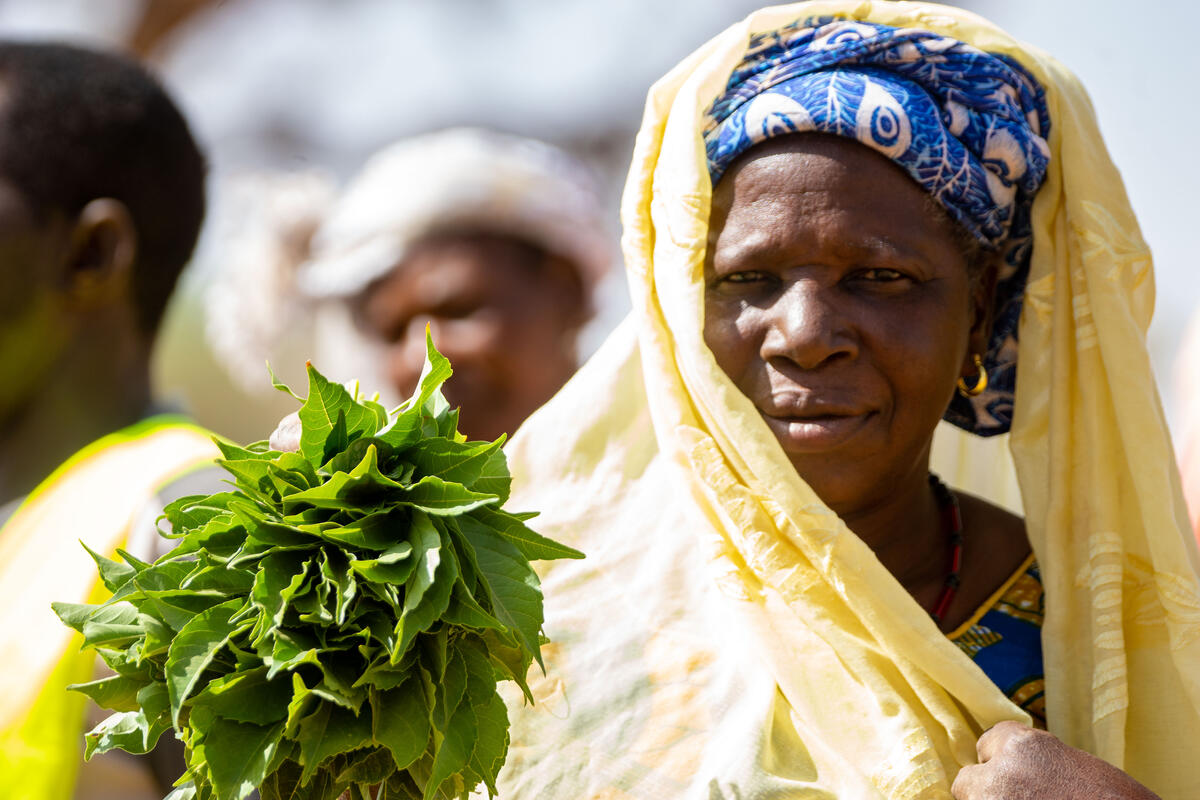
<point>1005,639</point>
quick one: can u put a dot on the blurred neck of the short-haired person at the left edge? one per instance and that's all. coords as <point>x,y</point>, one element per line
<point>100,384</point>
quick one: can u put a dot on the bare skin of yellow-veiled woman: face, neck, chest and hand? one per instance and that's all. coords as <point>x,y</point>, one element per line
<point>843,306</point>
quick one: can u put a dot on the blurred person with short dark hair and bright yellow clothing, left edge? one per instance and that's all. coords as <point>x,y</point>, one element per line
<point>101,201</point>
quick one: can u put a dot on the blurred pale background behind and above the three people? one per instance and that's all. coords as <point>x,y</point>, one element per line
<point>317,86</point>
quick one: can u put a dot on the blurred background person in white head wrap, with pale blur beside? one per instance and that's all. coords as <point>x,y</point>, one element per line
<point>499,243</point>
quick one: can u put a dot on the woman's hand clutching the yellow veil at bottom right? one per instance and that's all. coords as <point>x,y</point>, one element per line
<point>1019,763</point>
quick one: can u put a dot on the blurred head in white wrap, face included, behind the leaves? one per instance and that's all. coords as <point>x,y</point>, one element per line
<point>494,242</point>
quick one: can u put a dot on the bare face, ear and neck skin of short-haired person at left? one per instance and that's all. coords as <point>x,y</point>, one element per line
<point>68,332</point>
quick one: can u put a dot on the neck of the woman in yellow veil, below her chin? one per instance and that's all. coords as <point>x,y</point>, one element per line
<point>905,531</point>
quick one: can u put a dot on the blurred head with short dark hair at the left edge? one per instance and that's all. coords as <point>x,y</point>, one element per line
<point>101,201</point>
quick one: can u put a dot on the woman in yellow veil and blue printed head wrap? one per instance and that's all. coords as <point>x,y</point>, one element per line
<point>841,216</point>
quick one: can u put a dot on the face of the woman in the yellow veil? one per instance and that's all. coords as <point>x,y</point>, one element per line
<point>841,304</point>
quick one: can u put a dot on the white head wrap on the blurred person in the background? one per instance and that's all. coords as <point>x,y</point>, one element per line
<point>453,181</point>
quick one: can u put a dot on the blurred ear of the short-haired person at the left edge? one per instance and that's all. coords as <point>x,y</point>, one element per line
<point>100,262</point>
